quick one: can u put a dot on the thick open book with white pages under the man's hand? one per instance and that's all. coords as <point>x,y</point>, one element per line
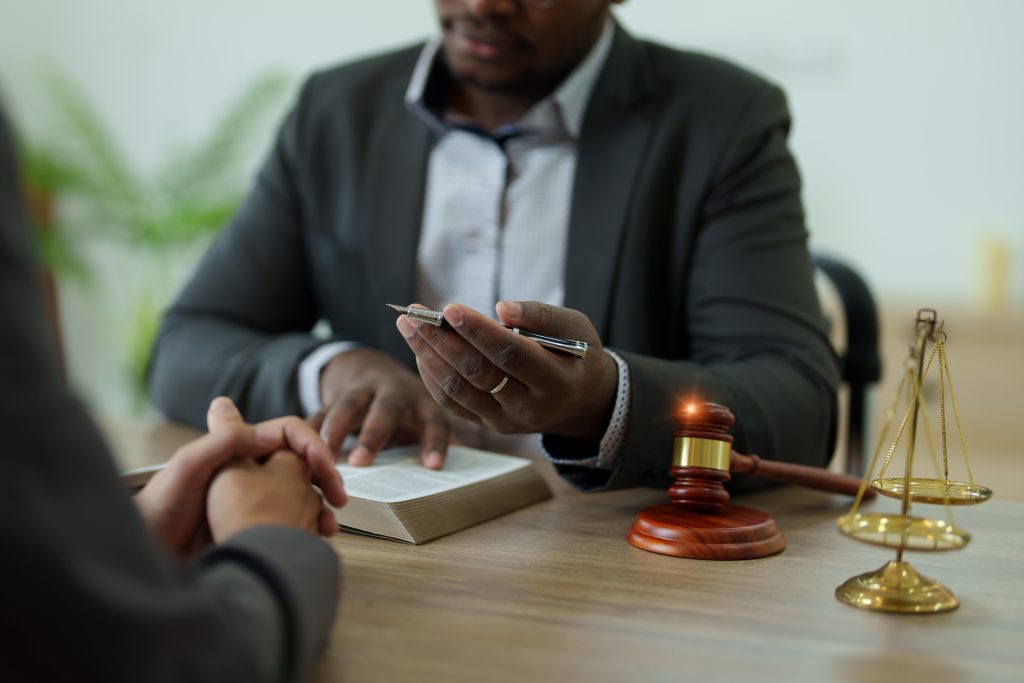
<point>398,498</point>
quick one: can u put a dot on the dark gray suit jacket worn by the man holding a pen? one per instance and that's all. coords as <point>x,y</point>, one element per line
<point>688,250</point>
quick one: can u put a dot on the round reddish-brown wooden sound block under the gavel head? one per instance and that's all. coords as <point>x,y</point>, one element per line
<point>732,533</point>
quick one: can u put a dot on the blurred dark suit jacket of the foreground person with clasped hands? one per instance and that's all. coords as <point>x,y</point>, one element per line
<point>86,593</point>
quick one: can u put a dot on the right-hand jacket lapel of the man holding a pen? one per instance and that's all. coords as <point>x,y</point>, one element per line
<point>613,142</point>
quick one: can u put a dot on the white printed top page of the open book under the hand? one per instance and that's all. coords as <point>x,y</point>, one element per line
<point>398,476</point>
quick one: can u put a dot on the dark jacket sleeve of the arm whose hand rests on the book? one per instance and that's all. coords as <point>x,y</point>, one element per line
<point>241,326</point>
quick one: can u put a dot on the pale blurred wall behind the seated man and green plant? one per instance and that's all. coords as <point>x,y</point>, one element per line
<point>908,126</point>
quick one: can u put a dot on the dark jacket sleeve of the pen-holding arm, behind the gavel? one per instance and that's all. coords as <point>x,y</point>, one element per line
<point>755,333</point>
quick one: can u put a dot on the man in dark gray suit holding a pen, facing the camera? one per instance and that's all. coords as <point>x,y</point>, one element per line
<point>598,187</point>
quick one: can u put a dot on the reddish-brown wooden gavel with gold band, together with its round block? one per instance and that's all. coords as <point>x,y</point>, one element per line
<point>700,523</point>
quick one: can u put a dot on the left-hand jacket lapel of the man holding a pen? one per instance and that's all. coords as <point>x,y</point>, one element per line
<point>396,186</point>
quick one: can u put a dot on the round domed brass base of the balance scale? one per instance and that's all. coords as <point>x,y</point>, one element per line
<point>898,587</point>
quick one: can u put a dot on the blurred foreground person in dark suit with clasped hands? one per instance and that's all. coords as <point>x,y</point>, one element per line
<point>96,588</point>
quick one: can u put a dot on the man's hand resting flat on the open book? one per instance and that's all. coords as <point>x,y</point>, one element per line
<point>369,393</point>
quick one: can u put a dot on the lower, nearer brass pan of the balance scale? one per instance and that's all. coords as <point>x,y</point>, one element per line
<point>894,531</point>
